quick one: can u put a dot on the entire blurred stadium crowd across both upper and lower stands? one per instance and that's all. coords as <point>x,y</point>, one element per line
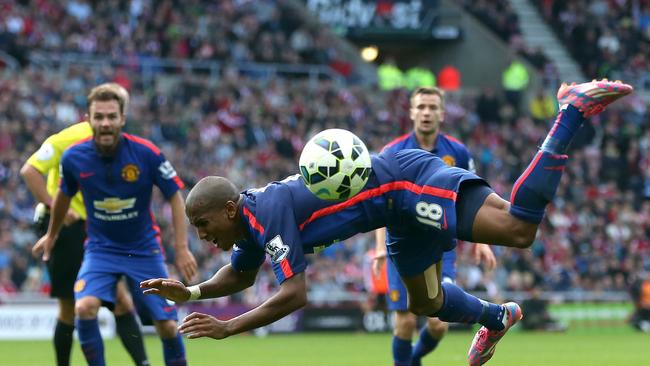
<point>250,130</point>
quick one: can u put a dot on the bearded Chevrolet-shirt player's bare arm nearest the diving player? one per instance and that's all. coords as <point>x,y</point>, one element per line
<point>184,260</point>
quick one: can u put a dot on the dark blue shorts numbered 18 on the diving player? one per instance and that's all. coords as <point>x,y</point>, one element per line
<point>423,227</point>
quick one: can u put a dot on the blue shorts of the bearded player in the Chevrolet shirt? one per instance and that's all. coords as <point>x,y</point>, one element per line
<point>100,273</point>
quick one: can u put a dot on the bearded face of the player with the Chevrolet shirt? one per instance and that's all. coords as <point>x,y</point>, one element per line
<point>106,121</point>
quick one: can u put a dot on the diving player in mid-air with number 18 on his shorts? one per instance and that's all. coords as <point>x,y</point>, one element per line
<point>286,221</point>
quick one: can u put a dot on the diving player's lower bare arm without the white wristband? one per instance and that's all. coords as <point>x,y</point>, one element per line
<point>291,297</point>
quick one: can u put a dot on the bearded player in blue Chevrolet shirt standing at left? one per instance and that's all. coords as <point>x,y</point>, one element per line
<point>116,173</point>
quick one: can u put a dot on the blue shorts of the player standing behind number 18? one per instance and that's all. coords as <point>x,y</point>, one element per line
<point>397,294</point>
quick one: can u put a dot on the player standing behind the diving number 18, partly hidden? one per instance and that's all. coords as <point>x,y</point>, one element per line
<point>427,113</point>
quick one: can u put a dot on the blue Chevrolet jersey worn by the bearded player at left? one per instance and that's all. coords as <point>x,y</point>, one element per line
<point>117,193</point>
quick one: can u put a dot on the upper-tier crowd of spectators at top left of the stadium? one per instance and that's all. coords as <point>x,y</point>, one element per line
<point>227,31</point>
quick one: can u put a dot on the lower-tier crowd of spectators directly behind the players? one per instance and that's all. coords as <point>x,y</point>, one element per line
<point>594,237</point>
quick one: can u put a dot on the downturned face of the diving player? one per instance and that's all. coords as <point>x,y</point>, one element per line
<point>216,226</point>
